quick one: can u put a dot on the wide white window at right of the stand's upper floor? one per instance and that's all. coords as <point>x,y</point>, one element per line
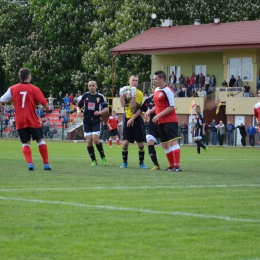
<point>242,67</point>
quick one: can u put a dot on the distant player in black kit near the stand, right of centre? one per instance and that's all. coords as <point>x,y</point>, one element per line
<point>199,128</point>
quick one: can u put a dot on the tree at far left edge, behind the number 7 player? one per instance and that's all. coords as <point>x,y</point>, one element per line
<point>15,25</point>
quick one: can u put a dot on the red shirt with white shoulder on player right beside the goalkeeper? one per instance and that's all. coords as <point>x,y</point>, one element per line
<point>163,98</point>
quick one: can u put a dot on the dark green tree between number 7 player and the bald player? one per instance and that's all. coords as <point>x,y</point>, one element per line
<point>61,31</point>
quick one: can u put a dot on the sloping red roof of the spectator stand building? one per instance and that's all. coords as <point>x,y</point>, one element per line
<point>189,38</point>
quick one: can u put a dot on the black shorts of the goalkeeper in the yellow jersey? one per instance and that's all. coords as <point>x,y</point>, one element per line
<point>135,132</point>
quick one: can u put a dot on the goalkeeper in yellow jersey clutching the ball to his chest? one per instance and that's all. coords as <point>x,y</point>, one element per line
<point>135,131</point>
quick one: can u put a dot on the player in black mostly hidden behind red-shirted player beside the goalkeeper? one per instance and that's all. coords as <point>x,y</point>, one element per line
<point>152,132</point>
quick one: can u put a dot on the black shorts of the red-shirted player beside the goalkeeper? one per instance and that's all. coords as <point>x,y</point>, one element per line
<point>168,131</point>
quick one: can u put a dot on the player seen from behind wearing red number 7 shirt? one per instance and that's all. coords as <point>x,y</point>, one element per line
<point>25,96</point>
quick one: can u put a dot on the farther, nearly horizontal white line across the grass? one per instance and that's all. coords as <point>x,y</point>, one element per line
<point>132,187</point>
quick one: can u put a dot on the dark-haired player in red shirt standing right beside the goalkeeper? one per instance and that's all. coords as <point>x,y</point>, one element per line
<point>167,120</point>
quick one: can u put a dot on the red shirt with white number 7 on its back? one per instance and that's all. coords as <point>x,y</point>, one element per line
<point>25,96</point>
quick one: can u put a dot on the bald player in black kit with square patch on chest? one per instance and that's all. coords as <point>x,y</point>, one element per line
<point>95,105</point>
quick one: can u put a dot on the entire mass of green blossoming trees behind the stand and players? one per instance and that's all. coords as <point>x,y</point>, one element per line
<point>66,43</point>
